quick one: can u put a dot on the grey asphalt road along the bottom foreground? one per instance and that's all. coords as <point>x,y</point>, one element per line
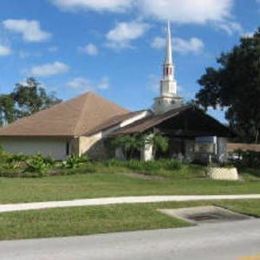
<point>232,240</point>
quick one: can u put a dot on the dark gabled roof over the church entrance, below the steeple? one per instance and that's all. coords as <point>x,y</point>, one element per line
<point>183,121</point>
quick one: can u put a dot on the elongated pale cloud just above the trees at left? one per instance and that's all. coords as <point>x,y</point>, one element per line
<point>49,69</point>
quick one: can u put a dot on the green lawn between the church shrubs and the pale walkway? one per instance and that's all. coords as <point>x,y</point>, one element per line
<point>15,190</point>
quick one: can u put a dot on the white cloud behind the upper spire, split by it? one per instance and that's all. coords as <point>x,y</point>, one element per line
<point>193,45</point>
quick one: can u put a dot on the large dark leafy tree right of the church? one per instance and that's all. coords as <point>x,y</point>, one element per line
<point>235,86</point>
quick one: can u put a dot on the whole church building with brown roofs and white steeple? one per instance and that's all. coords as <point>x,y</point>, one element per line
<point>83,124</point>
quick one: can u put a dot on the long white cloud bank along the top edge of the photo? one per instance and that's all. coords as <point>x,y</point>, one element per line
<point>217,12</point>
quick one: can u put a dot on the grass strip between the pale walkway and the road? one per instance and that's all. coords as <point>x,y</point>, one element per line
<point>103,219</point>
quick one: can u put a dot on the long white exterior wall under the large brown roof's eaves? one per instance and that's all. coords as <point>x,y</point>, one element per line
<point>56,148</point>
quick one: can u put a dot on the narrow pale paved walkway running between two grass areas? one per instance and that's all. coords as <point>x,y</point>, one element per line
<point>119,200</point>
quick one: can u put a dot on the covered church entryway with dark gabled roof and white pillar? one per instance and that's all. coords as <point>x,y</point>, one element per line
<point>192,133</point>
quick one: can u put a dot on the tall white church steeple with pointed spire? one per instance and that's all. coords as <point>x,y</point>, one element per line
<point>168,87</point>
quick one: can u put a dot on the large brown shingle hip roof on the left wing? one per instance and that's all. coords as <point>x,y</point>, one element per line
<point>71,118</point>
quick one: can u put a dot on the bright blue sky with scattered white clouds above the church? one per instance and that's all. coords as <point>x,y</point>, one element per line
<point>115,47</point>
